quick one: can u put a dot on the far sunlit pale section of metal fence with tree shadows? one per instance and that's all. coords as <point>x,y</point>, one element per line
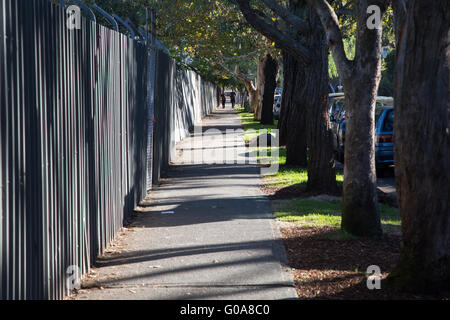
<point>182,100</point>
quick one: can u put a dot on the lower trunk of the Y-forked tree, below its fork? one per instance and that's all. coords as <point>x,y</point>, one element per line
<point>360,214</point>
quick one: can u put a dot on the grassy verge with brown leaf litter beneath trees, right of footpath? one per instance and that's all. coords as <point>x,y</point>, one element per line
<point>326,262</point>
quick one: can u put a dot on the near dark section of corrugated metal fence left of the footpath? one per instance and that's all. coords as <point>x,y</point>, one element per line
<point>75,122</point>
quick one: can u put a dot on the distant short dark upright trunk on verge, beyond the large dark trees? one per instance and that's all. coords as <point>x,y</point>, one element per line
<point>270,83</point>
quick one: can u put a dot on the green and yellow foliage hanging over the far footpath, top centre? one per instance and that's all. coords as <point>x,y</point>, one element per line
<point>209,37</point>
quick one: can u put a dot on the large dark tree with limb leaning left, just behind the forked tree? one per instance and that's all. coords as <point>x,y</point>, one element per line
<point>307,45</point>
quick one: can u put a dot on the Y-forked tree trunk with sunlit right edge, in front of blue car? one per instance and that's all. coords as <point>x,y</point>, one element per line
<point>360,78</point>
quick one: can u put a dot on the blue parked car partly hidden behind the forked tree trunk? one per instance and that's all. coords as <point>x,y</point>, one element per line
<point>384,127</point>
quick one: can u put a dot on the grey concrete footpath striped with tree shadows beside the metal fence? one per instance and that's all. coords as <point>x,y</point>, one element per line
<point>206,233</point>
